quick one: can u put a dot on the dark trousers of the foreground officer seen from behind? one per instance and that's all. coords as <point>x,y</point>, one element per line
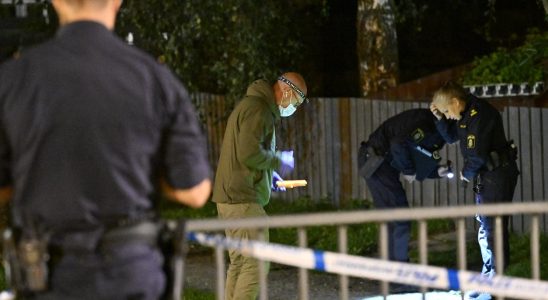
<point>129,272</point>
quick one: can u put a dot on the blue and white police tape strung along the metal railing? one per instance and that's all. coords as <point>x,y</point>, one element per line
<point>357,266</point>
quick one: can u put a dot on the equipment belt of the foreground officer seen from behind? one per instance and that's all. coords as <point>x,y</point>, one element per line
<point>29,257</point>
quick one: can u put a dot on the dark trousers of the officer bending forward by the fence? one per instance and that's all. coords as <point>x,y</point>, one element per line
<point>387,191</point>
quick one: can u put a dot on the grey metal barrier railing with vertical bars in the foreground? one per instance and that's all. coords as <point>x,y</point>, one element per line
<point>342,219</point>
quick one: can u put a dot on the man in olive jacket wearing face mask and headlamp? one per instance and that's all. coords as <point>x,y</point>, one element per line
<point>245,174</point>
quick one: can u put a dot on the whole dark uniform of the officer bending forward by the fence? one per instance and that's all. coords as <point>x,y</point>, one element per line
<point>396,141</point>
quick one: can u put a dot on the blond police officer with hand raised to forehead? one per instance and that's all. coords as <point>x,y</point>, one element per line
<point>489,159</point>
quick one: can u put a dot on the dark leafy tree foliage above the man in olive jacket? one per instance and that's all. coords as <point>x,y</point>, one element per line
<point>217,46</point>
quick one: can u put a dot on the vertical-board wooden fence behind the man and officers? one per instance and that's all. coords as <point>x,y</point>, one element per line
<point>326,133</point>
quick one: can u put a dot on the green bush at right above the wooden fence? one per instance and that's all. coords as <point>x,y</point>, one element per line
<point>527,63</point>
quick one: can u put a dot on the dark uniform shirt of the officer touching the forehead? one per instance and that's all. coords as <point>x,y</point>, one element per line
<point>480,131</point>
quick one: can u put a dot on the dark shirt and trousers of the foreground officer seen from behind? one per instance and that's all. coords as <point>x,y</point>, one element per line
<point>87,124</point>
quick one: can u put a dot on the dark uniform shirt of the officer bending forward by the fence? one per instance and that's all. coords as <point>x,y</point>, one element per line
<point>397,138</point>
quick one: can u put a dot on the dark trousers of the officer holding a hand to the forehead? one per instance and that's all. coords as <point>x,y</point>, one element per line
<point>498,187</point>
